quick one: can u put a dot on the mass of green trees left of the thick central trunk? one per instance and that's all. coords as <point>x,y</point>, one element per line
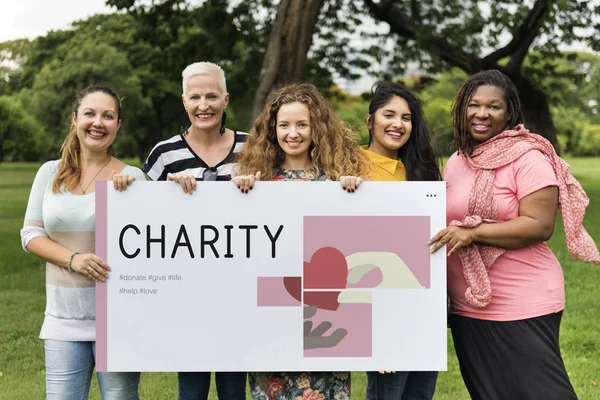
<point>141,54</point>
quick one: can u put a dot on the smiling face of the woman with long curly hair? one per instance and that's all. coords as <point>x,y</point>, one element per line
<point>293,131</point>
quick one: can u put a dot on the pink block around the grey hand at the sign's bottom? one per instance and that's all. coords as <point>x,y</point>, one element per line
<point>357,319</point>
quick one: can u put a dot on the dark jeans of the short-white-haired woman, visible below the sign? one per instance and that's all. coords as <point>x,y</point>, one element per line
<point>195,385</point>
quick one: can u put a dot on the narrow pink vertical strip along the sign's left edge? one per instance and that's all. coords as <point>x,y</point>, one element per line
<point>101,288</point>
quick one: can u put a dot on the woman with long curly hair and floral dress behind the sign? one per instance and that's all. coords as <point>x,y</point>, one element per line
<point>297,136</point>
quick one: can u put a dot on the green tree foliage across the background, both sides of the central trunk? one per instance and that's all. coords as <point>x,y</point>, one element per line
<point>142,50</point>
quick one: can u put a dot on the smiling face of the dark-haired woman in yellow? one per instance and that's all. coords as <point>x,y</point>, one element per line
<point>390,126</point>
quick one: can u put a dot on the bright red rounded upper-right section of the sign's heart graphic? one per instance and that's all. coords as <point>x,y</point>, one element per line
<point>327,269</point>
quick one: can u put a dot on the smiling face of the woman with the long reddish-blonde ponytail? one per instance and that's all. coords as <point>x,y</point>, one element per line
<point>97,121</point>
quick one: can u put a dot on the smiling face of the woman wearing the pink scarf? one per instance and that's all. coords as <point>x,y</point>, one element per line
<point>486,114</point>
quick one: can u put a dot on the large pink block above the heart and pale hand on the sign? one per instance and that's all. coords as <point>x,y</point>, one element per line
<point>406,236</point>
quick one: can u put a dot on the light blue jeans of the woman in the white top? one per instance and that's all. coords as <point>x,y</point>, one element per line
<point>69,368</point>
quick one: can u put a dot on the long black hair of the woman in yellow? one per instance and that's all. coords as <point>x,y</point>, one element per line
<point>417,154</point>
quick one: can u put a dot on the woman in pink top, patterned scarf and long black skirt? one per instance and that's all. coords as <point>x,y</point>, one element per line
<point>506,288</point>
